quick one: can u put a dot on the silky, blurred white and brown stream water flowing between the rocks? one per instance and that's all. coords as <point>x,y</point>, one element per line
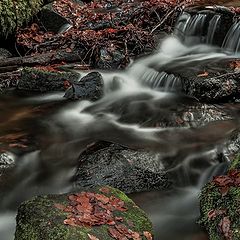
<point>62,130</point>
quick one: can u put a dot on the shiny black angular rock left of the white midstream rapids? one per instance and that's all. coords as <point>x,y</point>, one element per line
<point>89,87</point>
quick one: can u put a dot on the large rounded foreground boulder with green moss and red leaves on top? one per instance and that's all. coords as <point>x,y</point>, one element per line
<point>46,217</point>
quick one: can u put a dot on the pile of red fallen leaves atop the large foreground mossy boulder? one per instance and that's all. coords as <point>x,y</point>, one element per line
<point>88,209</point>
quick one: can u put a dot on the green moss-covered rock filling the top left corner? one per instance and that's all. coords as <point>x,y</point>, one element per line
<point>14,14</point>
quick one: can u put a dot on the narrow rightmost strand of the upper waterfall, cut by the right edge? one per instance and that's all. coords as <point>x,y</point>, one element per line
<point>232,40</point>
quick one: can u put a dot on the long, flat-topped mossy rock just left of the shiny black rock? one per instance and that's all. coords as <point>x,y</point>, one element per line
<point>33,79</point>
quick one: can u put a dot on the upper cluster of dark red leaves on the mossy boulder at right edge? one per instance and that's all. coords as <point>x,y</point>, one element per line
<point>232,179</point>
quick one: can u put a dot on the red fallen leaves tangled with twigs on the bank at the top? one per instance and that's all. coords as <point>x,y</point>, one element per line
<point>123,26</point>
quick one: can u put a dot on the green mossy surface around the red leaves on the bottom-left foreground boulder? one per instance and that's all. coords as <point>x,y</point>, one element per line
<point>39,218</point>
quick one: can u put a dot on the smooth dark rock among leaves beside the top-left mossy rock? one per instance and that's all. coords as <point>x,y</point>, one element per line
<point>51,20</point>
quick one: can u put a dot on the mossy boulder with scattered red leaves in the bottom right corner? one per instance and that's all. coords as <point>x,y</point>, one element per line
<point>220,205</point>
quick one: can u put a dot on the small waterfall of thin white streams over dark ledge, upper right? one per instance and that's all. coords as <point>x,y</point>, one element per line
<point>209,25</point>
